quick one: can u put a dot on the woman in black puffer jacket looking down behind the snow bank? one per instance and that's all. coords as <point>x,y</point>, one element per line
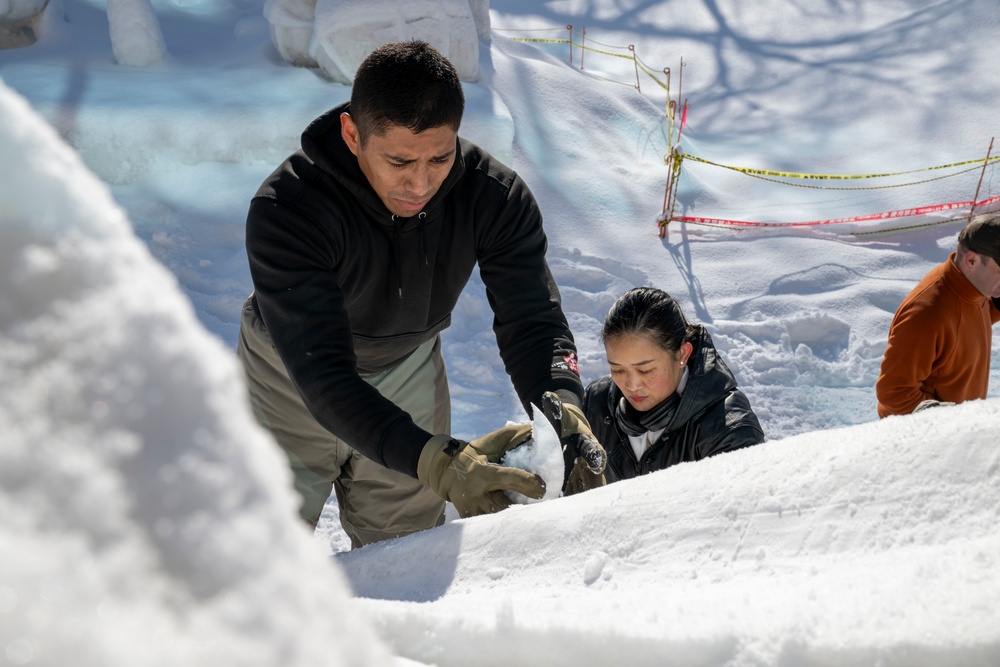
<point>670,397</point>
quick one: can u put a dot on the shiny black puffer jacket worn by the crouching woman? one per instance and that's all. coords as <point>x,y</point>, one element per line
<point>713,416</point>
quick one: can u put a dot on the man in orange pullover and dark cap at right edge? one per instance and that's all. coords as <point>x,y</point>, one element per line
<point>942,333</point>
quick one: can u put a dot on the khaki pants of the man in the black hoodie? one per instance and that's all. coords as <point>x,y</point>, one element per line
<point>376,503</point>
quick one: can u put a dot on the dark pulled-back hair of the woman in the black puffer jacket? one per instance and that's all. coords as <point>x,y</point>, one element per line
<point>650,312</point>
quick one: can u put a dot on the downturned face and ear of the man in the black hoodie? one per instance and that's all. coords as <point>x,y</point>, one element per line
<point>405,169</point>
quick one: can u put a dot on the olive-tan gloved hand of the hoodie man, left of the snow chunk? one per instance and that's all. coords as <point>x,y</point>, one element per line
<point>469,474</point>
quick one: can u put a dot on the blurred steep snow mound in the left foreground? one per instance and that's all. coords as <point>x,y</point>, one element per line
<point>144,518</point>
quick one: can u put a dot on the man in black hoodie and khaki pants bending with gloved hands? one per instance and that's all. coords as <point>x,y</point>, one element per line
<point>359,246</point>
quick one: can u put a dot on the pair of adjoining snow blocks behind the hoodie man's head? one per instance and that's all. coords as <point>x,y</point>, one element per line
<point>337,35</point>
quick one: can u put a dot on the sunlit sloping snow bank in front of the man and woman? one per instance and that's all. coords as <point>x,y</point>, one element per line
<point>874,544</point>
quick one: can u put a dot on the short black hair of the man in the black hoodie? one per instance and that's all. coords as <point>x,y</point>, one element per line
<point>407,84</point>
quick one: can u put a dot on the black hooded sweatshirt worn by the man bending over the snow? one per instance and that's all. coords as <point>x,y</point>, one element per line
<point>344,287</point>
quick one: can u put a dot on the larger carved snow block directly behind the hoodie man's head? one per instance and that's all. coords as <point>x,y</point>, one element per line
<point>345,32</point>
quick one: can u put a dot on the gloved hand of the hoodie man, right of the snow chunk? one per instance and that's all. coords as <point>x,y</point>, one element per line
<point>585,458</point>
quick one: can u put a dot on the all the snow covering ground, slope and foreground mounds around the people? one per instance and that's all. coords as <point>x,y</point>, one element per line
<point>145,519</point>
